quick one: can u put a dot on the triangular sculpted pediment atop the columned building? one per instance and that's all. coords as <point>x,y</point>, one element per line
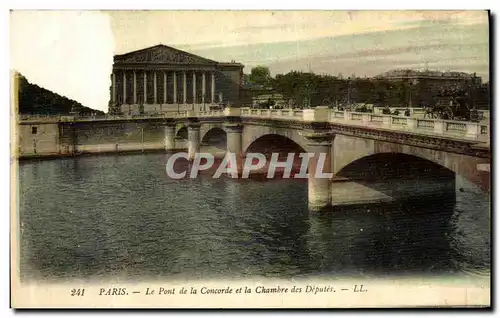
<point>161,54</point>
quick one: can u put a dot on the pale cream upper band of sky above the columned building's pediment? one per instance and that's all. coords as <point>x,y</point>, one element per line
<point>138,29</point>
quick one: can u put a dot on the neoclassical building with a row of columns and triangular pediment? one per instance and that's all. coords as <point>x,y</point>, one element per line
<point>161,78</point>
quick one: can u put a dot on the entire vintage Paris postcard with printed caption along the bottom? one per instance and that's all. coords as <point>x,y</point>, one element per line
<point>250,159</point>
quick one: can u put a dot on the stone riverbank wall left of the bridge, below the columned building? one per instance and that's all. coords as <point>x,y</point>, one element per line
<point>61,139</point>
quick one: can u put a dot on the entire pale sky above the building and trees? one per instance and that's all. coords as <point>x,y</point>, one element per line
<point>81,44</point>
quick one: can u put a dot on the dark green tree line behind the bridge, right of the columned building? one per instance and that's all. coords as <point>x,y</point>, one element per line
<point>307,88</point>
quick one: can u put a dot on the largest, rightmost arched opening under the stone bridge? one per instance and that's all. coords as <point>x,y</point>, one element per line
<point>395,177</point>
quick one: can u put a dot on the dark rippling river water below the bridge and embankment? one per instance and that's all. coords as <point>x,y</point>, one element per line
<point>121,217</point>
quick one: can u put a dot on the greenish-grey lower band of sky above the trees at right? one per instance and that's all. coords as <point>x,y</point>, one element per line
<point>375,50</point>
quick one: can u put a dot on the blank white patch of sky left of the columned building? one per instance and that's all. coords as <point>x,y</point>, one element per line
<point>68,52</point>
